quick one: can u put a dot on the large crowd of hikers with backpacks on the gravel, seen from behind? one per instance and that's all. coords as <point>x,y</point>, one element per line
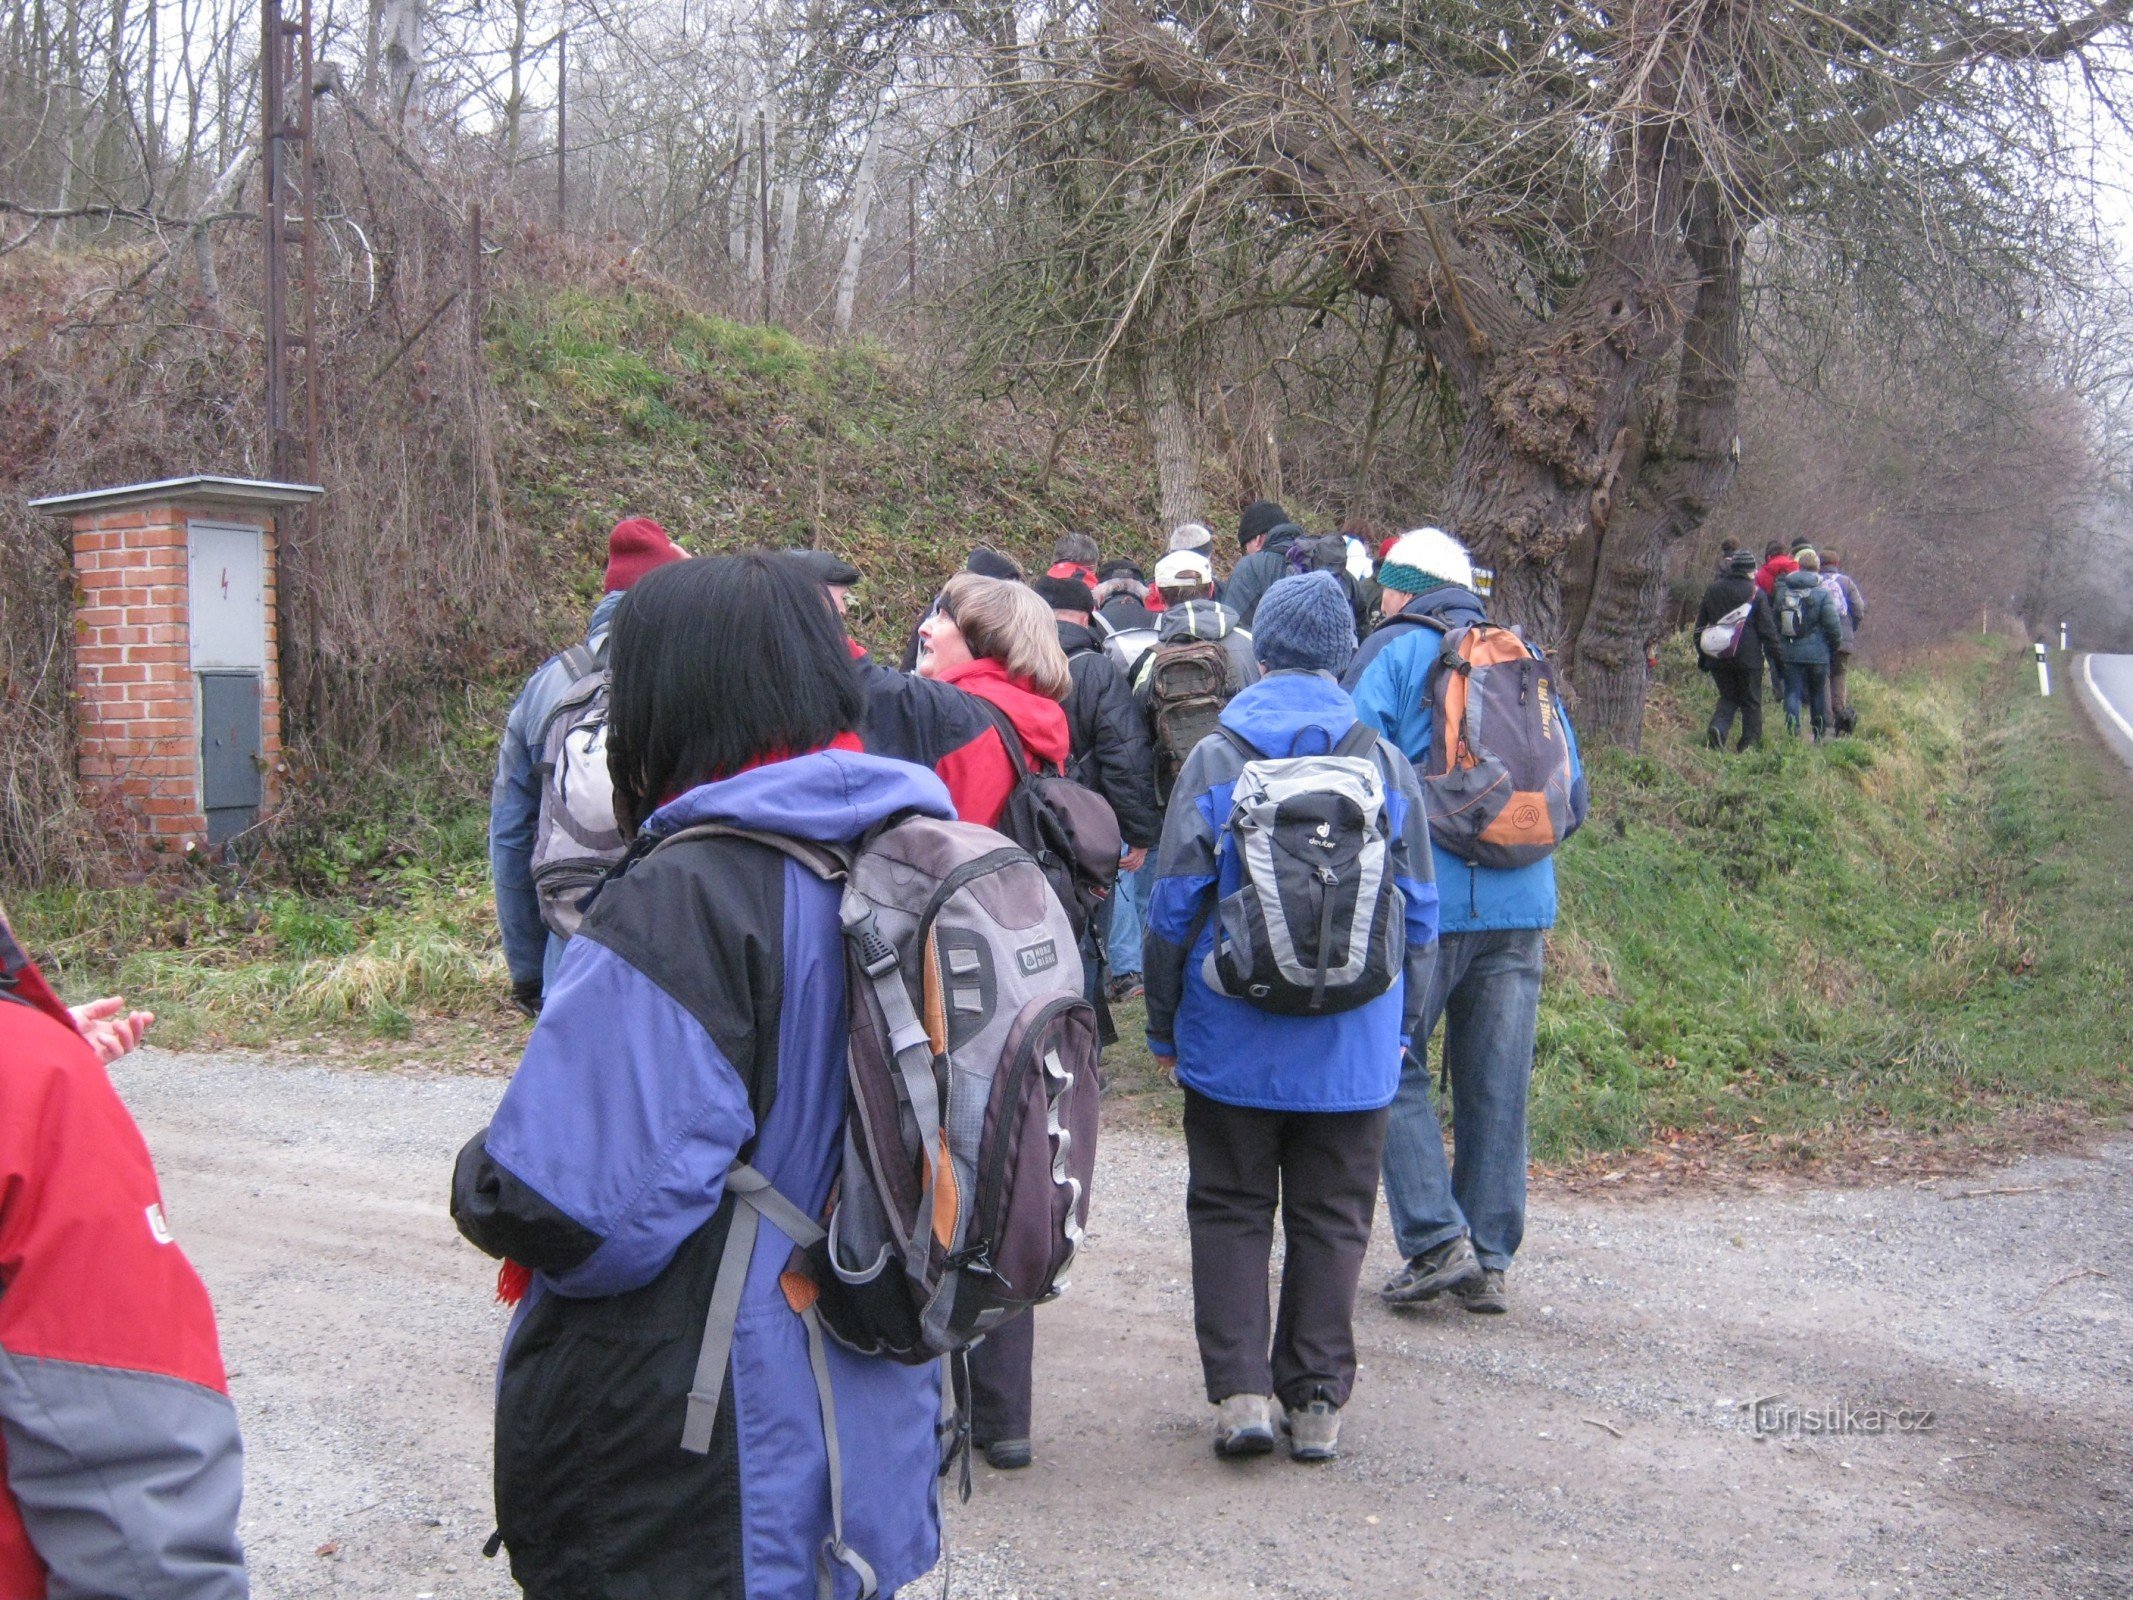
<point>750,876</point>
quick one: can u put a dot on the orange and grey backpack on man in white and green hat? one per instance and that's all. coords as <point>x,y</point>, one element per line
<point>1498,780</point>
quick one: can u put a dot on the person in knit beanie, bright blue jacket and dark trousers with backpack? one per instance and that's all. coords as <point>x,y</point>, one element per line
<point>1294,818</point>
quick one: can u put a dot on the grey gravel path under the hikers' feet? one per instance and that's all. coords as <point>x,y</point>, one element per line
<point>1588,1445</point>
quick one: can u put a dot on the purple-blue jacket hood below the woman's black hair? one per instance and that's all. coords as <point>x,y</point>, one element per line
<point>827,797</point>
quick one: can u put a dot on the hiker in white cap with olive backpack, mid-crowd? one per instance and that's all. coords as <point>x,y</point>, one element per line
<point>1206,658</point>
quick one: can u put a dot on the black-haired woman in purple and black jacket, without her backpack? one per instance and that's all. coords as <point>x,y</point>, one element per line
<point>699,1019</point>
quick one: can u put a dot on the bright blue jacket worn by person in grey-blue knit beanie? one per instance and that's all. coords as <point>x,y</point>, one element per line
<point>1232,1051</point>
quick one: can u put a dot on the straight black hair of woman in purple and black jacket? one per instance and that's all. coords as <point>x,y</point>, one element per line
<point>720,665</point>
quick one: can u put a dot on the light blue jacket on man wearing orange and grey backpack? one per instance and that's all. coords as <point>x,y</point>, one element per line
<point>1390,697</point>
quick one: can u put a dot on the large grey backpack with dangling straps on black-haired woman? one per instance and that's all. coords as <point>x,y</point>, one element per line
<point>969,1130</point>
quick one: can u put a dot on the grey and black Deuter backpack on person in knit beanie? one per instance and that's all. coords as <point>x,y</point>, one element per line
<point>1317,923</point>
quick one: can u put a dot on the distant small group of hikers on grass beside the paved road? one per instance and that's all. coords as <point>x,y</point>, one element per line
<point>1801,615</point>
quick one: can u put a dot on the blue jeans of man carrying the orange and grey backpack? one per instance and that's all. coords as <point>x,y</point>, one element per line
<point>1488,991</point>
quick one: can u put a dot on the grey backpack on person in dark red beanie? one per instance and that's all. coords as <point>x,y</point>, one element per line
<point>577,837</point>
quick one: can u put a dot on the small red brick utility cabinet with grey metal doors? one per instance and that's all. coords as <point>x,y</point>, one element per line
<point>176,677</point>
